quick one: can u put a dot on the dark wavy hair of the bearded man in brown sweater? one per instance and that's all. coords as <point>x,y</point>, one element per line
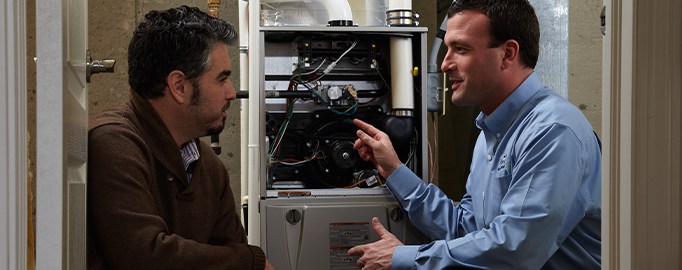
<point>174,39</point>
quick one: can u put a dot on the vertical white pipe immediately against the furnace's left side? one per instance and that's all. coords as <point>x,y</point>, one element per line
<point>254,164</point>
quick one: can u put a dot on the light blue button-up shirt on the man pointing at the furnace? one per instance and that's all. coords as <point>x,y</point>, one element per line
<point>533,196</point>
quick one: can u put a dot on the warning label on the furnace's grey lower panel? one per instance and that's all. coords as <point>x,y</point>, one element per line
<point>342,237</point>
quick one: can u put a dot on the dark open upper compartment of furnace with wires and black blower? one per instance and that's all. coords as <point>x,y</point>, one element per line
<point>331,78</point>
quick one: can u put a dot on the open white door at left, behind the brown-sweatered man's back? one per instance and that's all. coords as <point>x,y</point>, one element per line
<point>62,40</point>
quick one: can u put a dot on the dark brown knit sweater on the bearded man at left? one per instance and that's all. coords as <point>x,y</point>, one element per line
<point>142,214</point>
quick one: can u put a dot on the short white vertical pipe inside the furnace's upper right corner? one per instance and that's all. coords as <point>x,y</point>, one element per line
<point>402,82</point>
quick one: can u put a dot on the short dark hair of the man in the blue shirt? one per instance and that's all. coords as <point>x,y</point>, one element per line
<point>509,19</point>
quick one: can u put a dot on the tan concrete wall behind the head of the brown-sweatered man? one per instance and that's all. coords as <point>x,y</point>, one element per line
<point>111,24</point>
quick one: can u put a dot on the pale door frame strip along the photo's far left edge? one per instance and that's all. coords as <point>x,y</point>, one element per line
<point>13,142</point>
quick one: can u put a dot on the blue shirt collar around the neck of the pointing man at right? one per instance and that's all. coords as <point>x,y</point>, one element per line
<point>501,119</point>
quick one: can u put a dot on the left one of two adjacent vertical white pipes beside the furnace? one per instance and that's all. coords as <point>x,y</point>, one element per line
<point>244,86</point>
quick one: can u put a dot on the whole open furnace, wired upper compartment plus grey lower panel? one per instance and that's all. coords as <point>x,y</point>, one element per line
<point>318,196</point>
